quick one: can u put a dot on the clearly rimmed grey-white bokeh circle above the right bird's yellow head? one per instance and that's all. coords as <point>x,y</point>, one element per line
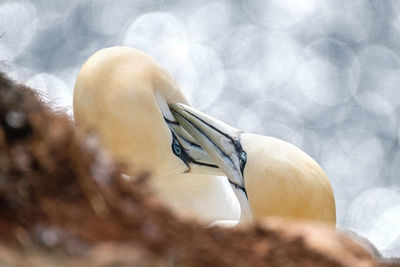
<point>325,80</point>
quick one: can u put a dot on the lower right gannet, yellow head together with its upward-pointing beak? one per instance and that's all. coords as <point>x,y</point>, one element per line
<point>269,176</point>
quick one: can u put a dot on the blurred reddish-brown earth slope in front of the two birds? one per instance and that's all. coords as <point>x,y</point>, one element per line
<point>64,203</point>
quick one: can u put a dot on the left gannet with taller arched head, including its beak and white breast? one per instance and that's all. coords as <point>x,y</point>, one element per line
<point>121,95</point>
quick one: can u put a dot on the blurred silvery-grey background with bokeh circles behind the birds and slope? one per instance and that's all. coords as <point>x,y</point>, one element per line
<point>321,74</point>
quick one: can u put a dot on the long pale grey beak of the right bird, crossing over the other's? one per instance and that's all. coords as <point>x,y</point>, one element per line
<point>219,140</point>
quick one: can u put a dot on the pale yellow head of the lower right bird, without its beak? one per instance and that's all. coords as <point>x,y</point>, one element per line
<point>282,180</point>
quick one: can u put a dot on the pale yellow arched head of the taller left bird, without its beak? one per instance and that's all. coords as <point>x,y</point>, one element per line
<point>121,94</point>
